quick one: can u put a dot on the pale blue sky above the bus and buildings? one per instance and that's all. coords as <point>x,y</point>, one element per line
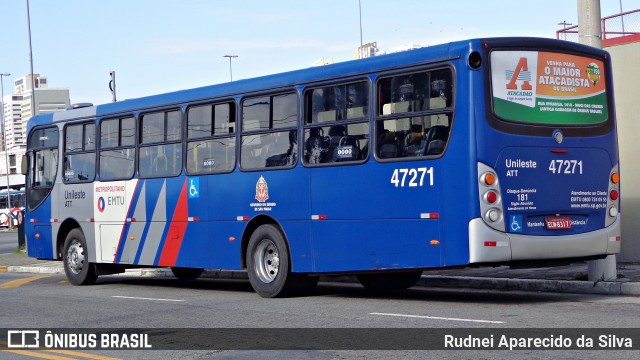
<point>159,46</point>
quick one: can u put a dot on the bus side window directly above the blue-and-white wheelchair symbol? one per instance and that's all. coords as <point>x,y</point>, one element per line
<point>211,145</point>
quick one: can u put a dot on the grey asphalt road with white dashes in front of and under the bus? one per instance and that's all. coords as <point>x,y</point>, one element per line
<point>160,303</point>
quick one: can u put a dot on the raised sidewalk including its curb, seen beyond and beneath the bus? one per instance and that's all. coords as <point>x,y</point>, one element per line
<point>565,279</point>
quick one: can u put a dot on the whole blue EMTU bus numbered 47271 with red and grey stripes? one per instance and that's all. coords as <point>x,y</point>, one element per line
<point>484,152</point>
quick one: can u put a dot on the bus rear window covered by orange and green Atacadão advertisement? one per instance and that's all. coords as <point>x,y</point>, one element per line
<point>548,88</point>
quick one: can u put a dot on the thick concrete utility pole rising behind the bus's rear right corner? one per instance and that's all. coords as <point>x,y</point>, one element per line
<point>590,33</point>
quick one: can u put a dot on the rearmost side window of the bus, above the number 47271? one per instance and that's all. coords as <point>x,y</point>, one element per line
<point>414,114</point>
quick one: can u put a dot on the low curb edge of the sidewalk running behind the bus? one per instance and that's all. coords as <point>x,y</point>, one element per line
<point>427,281</point>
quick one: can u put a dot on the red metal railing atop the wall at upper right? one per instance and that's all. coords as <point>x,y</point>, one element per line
<point>613,27</point>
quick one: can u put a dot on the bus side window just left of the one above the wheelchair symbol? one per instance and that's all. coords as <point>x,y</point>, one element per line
<point>160,144</point>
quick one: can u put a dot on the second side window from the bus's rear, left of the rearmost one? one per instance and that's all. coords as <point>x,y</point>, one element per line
<point>336,124</point>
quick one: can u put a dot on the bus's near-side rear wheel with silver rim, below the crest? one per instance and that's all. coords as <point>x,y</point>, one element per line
<point>268,264</point>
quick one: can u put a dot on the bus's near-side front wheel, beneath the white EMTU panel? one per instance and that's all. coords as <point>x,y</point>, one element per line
<point>75,257</point>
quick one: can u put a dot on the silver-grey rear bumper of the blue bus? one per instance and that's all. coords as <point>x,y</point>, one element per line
<point>487,245</point>
